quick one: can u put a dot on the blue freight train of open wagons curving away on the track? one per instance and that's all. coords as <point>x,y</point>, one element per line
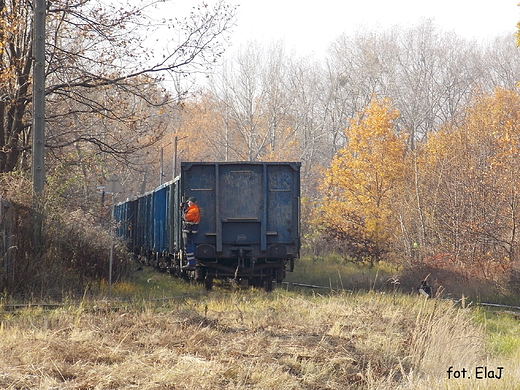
<point>249,230</point>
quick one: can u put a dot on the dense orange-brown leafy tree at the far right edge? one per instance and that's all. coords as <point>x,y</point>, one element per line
<point>474,205</point>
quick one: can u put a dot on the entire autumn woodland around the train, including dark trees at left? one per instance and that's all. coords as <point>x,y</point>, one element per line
<point>408,137</point>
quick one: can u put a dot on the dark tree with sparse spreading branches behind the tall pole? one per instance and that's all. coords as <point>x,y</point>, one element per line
<point>95,56</point>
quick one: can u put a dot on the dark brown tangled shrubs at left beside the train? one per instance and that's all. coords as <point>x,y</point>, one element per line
<point>73,253</point>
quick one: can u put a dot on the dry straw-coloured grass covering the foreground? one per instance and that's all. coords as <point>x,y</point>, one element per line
<point>247,339</point>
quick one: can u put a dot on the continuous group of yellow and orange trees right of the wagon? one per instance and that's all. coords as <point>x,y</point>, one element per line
<point>451,203</point>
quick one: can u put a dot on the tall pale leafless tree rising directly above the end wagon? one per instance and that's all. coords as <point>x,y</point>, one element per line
<point>248,92</point>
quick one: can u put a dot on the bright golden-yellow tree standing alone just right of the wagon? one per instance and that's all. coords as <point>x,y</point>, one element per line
<point>362,180</point>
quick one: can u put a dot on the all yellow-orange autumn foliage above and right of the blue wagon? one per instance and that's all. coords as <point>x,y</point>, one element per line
<point>448,200</point>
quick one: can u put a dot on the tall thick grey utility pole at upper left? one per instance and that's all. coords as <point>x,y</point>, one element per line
<point>38,148</point>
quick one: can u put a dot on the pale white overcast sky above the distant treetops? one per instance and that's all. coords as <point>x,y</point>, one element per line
<point>310,26</point>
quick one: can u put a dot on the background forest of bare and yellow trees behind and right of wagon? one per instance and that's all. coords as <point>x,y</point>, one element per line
<point>408,140</point>
